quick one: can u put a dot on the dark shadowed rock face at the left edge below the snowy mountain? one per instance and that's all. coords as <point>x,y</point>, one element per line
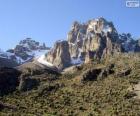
<point>8,80</point>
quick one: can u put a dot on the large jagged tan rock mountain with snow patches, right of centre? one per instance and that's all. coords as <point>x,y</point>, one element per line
<point>95,39</point>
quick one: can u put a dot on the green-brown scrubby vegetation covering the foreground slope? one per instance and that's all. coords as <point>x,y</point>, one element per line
<point>68,96</point>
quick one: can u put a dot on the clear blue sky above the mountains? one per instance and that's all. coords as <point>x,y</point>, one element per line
<point>50,20</point>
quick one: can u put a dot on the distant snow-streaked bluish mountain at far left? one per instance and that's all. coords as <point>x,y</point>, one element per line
<point>26,50</point>
